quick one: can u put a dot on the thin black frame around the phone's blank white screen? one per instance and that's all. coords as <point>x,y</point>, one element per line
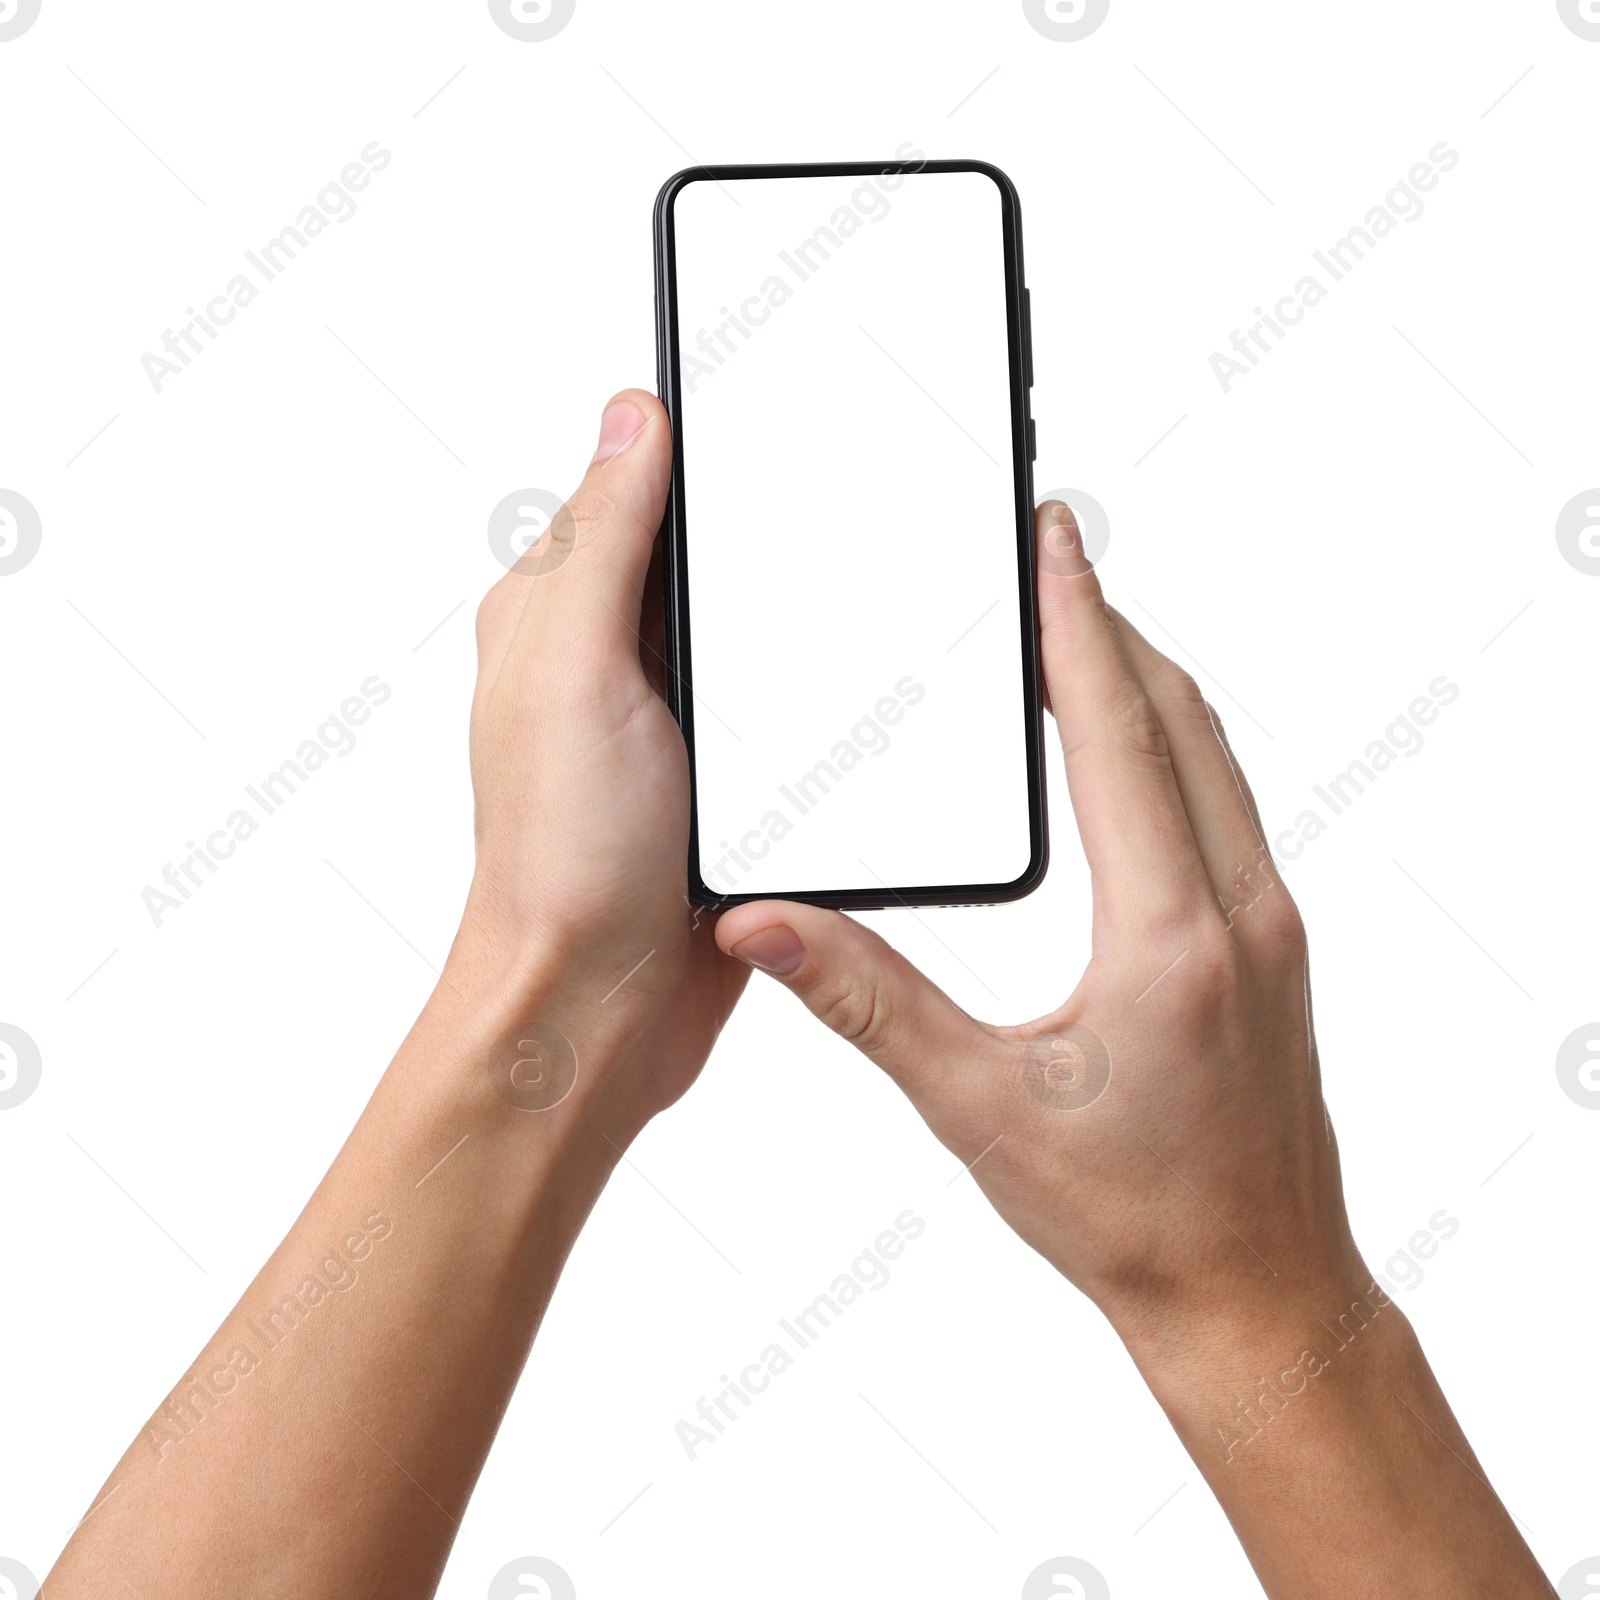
<point>679,676</point>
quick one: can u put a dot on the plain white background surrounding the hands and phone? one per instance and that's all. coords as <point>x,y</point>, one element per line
<point>271,530</point>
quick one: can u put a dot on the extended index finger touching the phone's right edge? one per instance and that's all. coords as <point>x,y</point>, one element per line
<point>1137,834</point>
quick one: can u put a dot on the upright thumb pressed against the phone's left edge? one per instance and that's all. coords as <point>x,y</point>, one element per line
<point>590,567</point>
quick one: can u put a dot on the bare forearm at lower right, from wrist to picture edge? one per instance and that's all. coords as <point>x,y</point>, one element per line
<point>1334,1452</point>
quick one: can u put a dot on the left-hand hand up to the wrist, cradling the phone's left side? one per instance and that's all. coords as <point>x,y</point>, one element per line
<point>582,785</point>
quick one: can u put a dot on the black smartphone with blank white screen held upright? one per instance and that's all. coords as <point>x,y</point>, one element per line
<point>852,628</point>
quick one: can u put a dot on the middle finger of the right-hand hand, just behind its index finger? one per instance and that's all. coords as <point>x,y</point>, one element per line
<point>1220,815</point>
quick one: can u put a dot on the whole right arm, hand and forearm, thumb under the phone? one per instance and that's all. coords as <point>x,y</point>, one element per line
<point>1161,1138</point>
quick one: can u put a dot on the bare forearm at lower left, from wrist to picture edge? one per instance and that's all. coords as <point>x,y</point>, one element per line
<point>329,1436</point>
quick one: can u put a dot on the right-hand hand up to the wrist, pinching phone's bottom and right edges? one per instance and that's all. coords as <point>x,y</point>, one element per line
<point>1204,1182</point>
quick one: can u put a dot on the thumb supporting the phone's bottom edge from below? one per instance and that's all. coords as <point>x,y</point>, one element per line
<point>862,988</point>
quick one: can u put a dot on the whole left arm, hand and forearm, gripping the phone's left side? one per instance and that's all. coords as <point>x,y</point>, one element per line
<point>329,1436</point>
